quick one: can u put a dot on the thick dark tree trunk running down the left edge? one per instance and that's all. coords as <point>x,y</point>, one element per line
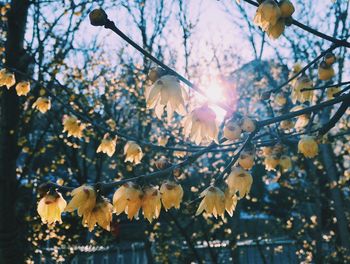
<point>11,249</point>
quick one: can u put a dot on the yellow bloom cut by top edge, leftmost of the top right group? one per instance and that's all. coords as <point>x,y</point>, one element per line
<point>267,14</point>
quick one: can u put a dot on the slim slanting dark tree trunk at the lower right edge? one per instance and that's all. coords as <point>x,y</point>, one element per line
<point>331,172</point>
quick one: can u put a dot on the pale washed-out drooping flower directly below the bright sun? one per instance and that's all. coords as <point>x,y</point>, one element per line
<point>200,125</point>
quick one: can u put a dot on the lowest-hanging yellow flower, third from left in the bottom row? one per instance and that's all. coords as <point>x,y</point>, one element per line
<point>101,214</point>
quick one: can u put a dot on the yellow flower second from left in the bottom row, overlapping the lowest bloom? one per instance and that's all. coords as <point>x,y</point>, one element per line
<point>84,200</point>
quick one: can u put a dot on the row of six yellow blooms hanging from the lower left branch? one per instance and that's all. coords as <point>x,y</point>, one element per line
<point>94,209</point>
